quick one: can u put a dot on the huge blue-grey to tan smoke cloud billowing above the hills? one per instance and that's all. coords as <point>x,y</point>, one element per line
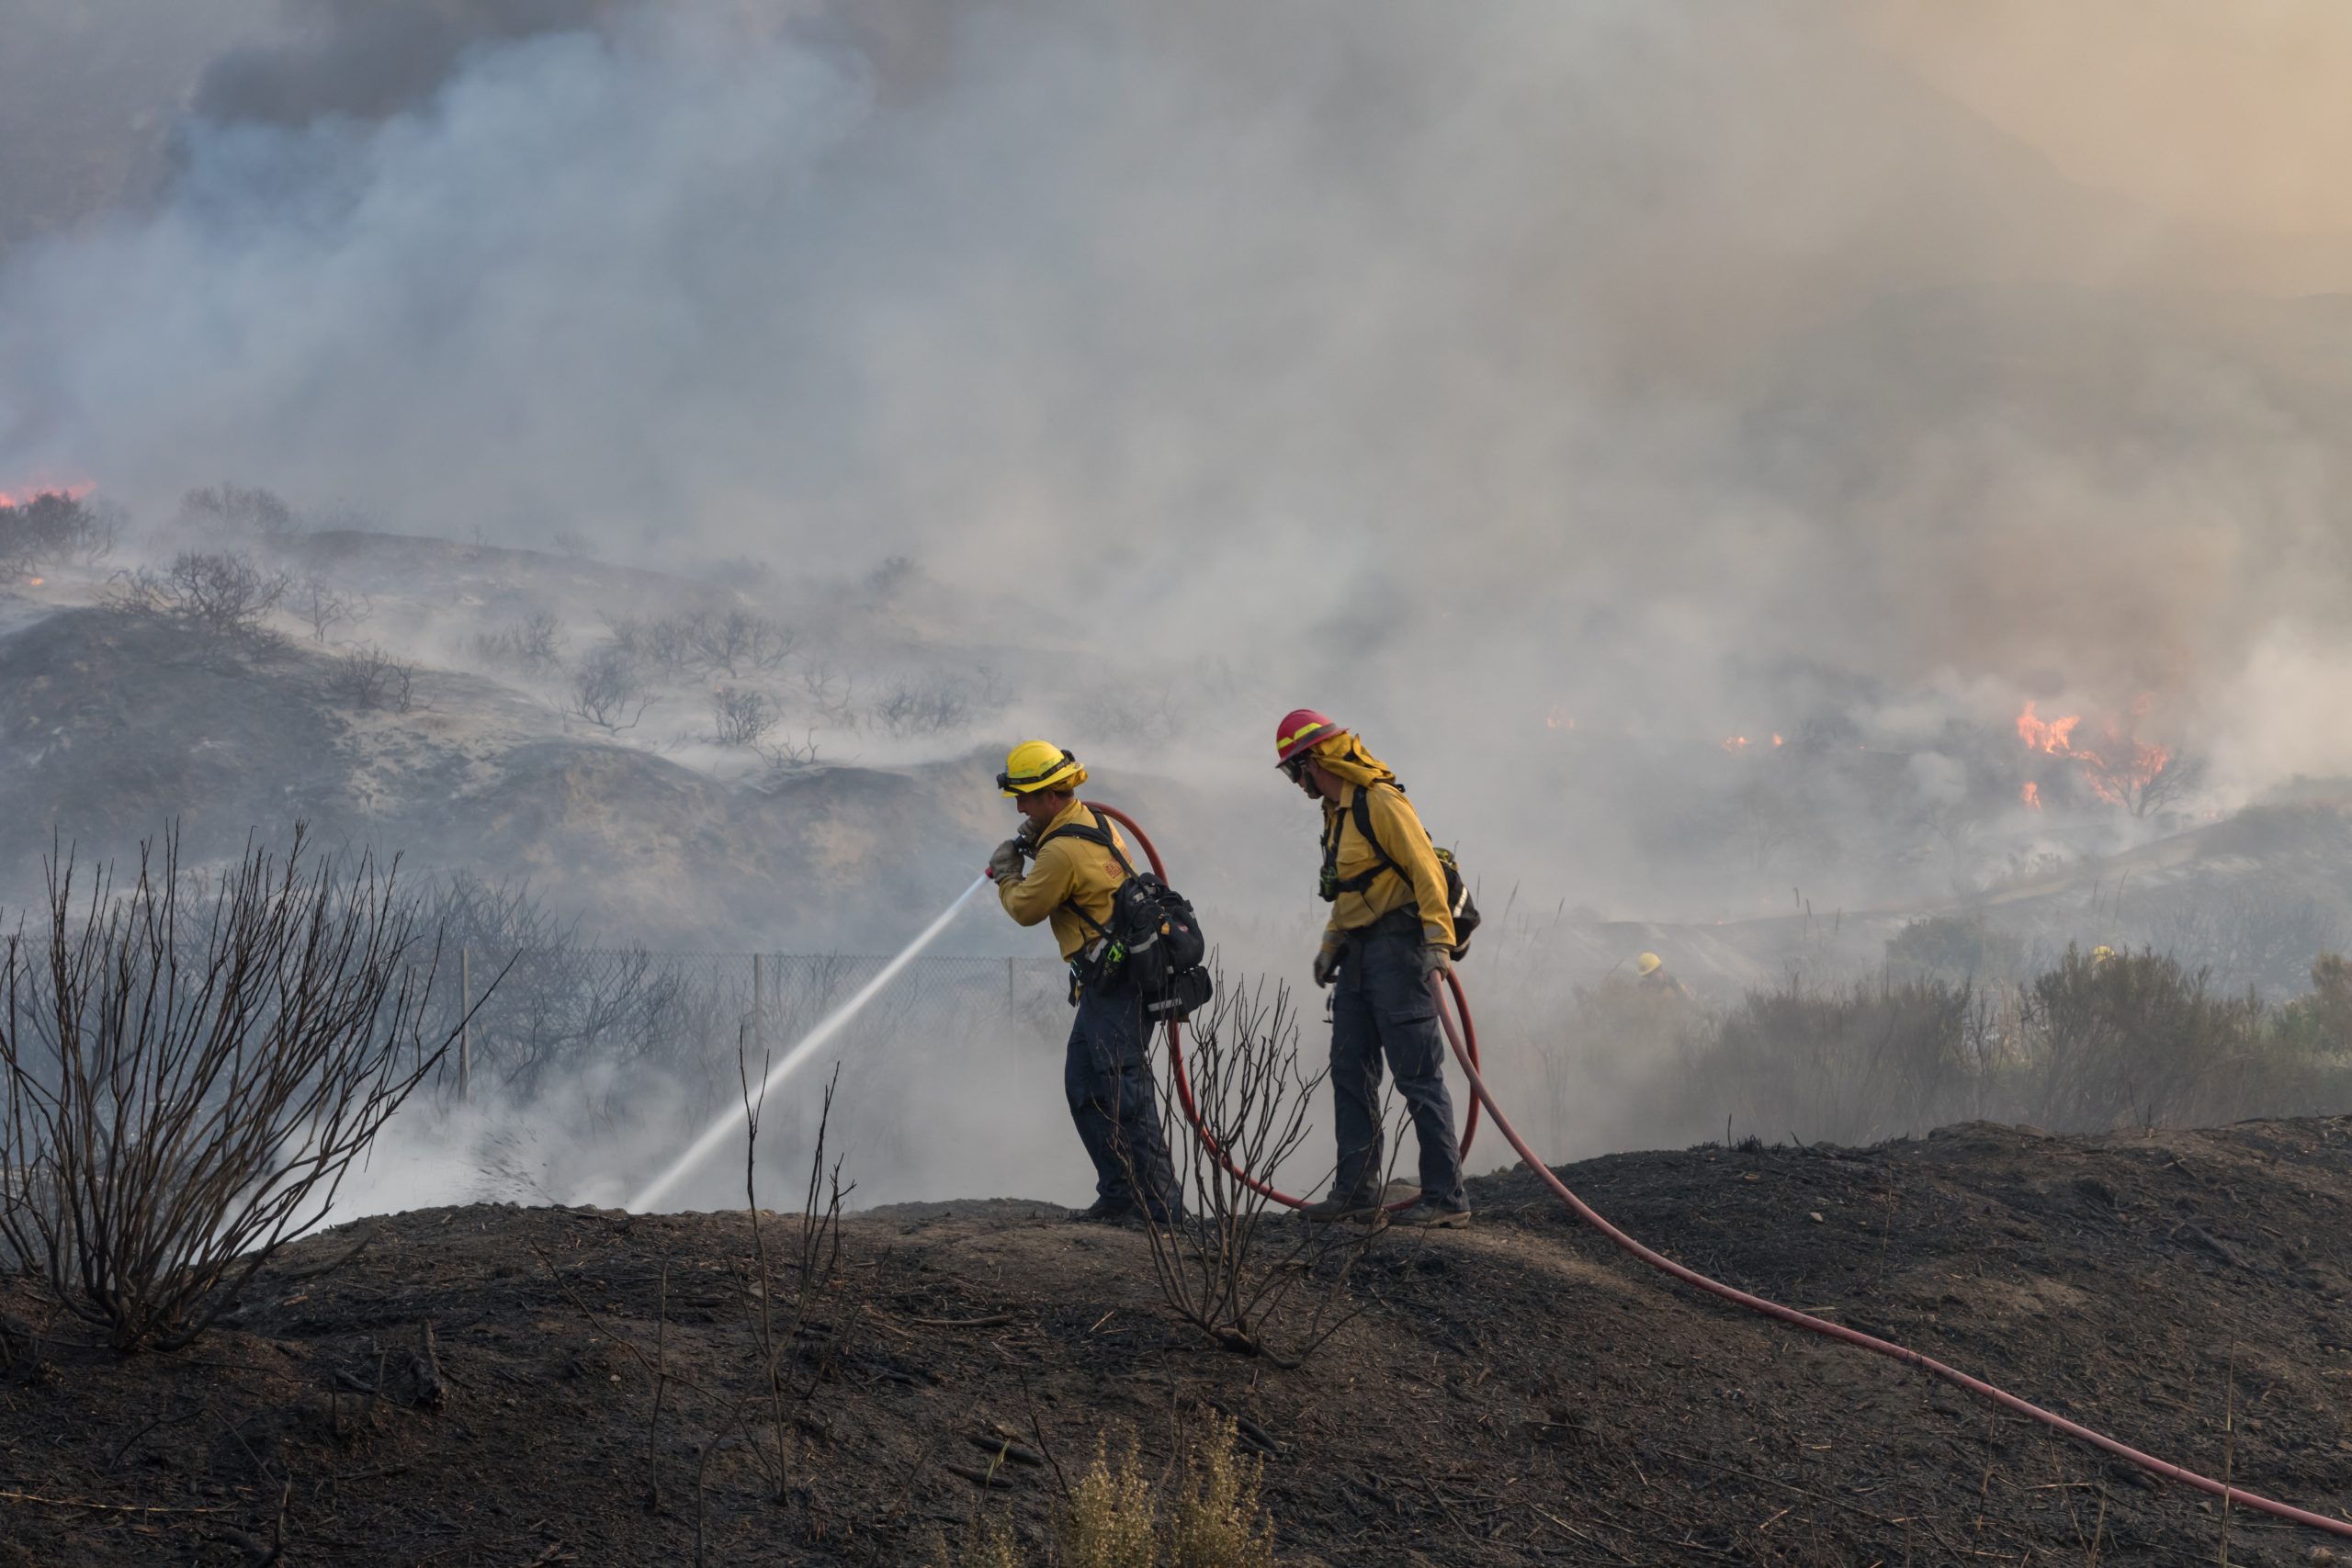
<point>1558,391</point>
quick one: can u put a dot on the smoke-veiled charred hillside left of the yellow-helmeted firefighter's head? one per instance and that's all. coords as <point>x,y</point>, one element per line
<point>126,723</point>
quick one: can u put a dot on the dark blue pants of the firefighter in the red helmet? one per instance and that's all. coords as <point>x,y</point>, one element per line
<point>1384,1007</point>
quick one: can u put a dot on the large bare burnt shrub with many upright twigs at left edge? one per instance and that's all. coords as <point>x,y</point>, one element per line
<point>187,1073</point>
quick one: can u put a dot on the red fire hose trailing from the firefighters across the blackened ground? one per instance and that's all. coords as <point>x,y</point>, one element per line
<point>1464,1043</point>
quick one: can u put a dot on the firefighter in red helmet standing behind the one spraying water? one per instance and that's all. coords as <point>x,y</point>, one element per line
<point>1391,932</point>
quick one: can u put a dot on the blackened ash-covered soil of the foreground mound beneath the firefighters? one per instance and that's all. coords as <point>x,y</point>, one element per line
<point>1506,1395</point>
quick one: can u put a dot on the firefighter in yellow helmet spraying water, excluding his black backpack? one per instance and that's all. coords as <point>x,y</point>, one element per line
<point>1076,864</point>
